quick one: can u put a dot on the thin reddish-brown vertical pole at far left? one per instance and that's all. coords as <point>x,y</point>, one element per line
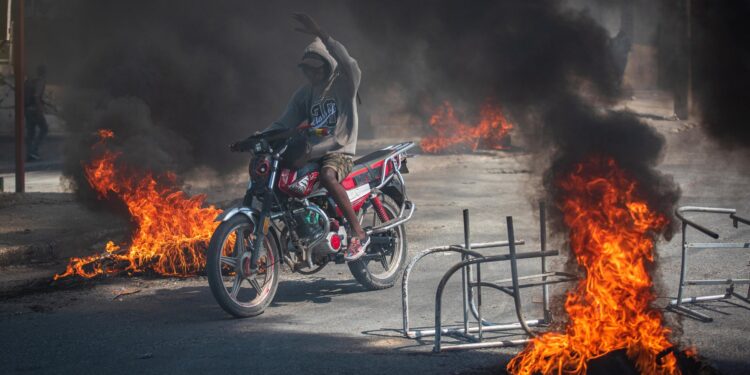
<point>18,71</point>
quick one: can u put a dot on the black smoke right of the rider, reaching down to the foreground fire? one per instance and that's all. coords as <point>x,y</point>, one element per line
<point>552,67</point>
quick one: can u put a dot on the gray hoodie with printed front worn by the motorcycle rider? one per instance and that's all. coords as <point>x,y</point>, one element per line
<point>332,105</point>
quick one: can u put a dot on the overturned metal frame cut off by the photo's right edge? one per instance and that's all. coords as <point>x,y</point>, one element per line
<point>678,305</point>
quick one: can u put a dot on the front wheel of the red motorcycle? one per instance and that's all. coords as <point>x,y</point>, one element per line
<point>228,267</point>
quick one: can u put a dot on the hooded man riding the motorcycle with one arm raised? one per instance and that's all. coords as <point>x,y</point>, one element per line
<point>325,109</point>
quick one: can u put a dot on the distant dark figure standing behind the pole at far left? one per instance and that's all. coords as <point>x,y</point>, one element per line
<point>34,112</point>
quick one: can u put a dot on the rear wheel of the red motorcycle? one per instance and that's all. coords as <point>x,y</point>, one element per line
<point>383,263</point>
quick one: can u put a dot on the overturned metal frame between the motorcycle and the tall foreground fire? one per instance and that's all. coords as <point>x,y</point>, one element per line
<point>472,289</point>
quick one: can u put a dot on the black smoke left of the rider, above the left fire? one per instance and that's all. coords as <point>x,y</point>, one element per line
<point>176,81</point>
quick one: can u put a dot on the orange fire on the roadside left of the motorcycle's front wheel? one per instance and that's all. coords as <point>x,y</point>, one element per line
<point>171,228</point>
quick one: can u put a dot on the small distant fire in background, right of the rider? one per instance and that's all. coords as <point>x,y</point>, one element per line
<point>491,131</point>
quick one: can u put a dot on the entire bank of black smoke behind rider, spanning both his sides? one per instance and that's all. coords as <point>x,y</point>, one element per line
<point>192,76</point>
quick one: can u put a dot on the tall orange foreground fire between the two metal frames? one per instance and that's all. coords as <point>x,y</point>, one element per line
<point>612,234</point>
